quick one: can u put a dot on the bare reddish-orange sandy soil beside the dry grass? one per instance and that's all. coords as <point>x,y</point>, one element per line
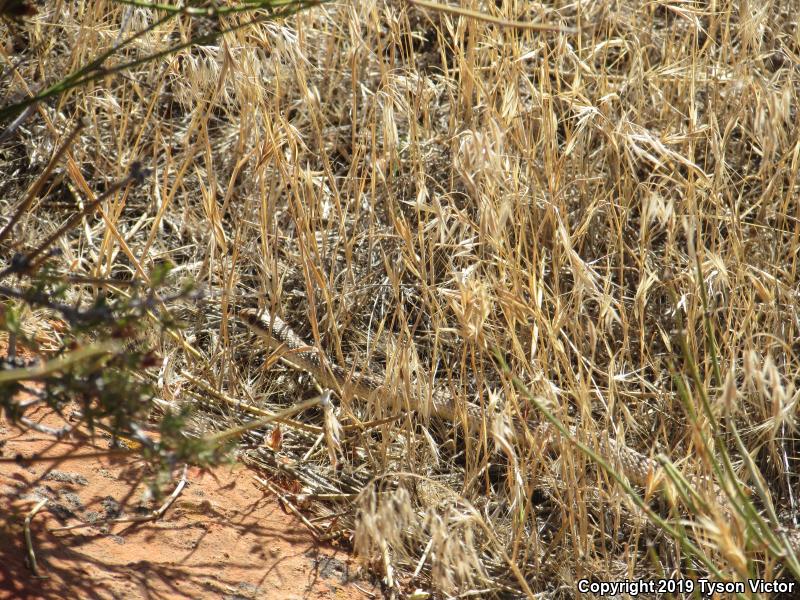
<point>222,538</point>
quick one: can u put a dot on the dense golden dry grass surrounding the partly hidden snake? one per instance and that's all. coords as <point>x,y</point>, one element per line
<point>418,191</point>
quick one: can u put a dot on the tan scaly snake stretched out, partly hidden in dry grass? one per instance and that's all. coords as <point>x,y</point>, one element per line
<point>638,468</point>
